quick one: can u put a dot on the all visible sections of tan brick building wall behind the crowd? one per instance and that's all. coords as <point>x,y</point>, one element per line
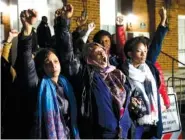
<point>147,12</point>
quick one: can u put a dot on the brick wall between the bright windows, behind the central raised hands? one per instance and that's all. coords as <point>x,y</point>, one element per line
<point>92,10</point>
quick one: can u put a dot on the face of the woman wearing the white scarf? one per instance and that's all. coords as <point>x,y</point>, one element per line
<point>139,55</point>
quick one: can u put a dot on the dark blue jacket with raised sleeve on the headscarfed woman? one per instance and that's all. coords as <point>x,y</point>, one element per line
<point>97,114</point>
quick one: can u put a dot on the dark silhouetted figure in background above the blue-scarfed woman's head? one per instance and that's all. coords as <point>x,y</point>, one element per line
<point>44,33</point>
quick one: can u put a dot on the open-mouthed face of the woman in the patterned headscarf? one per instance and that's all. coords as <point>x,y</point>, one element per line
<point>99,56</point>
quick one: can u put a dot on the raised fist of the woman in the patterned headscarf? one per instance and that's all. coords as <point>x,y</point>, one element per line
<point>65,12</point>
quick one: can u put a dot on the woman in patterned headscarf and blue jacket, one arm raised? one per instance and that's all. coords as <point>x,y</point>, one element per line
<point>100,91</point>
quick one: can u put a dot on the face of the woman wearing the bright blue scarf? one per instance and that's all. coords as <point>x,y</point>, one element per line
<point>52,65</point>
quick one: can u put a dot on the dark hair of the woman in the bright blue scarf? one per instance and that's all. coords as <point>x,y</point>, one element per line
<point>39,59</point>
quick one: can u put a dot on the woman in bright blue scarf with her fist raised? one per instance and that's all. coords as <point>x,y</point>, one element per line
<point>44,90</point>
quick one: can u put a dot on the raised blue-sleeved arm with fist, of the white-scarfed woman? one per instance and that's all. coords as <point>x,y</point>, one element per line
<point>156,44</point>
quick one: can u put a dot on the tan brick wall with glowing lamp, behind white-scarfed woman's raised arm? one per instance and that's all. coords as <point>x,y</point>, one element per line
<point>143,9</point>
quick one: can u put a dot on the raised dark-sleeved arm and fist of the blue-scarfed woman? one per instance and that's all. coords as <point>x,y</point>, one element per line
<point>25,66</point>
